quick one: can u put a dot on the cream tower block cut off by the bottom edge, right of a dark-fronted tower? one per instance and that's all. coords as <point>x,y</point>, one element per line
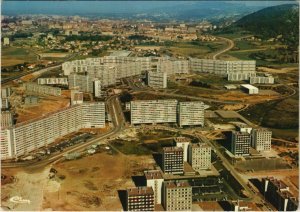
<point>177,196</point>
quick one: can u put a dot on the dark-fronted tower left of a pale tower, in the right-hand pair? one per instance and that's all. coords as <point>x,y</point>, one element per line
<point>239,143</point>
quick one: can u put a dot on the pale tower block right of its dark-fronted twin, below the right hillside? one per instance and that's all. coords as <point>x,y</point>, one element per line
<point>261,139</point>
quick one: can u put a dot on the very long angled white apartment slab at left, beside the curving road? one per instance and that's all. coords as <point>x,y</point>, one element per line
<point>33,134</point>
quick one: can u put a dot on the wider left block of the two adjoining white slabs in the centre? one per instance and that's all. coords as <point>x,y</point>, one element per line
<point>153,111</point>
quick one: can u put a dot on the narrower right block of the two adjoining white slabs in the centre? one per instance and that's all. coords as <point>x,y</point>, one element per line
<point>191,113</point>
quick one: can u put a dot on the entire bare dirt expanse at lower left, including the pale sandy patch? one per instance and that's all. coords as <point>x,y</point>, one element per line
<point>87,184</point>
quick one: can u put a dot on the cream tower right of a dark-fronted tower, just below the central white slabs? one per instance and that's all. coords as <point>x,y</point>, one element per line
<point>200,156</point>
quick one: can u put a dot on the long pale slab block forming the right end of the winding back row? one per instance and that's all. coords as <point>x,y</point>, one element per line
<point>221,67</point>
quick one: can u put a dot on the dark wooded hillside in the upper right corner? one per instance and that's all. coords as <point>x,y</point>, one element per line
<point>274,21</point>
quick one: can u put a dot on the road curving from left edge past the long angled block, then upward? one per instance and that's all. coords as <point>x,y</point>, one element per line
<point>118,121</point>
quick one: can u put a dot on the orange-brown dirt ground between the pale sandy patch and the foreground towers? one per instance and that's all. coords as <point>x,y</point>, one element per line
<point>98,179</point>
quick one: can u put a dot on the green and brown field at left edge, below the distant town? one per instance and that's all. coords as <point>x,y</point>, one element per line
<point>12,56</point>
